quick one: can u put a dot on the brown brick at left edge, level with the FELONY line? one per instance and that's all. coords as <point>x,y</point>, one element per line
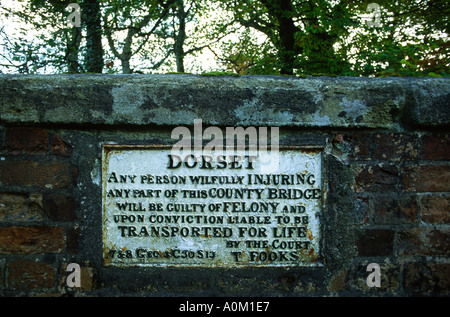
<point>20,207</point>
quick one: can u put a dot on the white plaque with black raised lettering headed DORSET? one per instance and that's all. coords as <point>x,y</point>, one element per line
<point>160,209</point>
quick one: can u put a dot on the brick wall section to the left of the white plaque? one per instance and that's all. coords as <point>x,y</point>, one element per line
<point>38,230</point>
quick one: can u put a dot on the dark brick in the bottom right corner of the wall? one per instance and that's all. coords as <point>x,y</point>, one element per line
<point>427,278</point>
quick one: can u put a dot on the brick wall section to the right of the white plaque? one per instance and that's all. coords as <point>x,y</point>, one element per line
<point>402,182</point>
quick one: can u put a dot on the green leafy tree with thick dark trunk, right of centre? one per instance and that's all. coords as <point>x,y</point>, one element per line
<point>300,31</point>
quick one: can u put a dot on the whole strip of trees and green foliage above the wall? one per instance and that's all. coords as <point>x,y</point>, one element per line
<point>267,37</point>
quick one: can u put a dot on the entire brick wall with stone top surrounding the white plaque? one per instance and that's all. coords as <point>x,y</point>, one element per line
<point>50,199</point>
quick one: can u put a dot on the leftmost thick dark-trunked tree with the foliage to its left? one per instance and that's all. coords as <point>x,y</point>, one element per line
<point>58,44</point>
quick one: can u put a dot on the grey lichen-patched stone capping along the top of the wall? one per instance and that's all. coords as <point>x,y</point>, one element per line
<point>175,99</point>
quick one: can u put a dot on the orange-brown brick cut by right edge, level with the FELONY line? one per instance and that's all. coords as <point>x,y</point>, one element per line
<point>435,209</point>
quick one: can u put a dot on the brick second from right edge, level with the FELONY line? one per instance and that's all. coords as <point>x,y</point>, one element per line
<point>395,209</point>
